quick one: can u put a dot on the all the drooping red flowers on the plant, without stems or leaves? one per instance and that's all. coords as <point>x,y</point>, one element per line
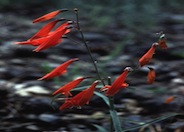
<point>47,37</point>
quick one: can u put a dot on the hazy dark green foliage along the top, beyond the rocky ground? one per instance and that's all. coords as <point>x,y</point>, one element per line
<point>139,15</point>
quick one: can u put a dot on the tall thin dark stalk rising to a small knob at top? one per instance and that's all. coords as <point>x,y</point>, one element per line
<point>87,47</point>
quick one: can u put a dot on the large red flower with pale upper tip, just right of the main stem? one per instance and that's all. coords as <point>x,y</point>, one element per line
<point>118,83</point>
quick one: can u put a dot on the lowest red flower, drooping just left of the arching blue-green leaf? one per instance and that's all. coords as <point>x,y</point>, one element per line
<point>81,98</point>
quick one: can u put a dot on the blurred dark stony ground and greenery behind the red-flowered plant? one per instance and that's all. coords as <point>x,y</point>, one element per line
<point>119,33</point>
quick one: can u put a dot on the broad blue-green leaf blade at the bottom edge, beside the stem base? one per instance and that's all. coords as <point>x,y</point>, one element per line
<point>116,121</point>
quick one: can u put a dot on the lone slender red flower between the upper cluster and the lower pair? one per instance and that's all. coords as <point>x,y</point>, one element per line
<point>59,70</point>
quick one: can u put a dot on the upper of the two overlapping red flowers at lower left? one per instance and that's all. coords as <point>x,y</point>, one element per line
<point>69,86</point>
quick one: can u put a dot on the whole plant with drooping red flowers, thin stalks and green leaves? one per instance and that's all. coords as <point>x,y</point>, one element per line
<point>48,37</point>
